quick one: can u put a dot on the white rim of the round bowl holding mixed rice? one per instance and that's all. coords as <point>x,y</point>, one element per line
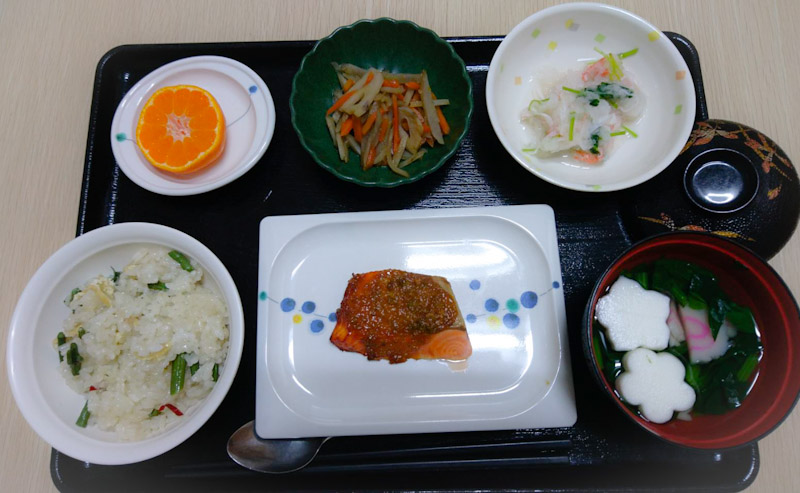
<point>19,354</point>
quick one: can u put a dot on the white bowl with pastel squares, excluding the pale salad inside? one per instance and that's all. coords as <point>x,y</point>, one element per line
<point>559,39</point>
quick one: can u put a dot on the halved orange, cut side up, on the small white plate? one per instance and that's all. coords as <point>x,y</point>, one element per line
<point>181,129</point>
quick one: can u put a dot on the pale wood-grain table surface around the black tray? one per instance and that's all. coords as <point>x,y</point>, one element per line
<point>48,54</point>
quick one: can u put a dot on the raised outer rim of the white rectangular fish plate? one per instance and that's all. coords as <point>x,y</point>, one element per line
<point>556,407</point>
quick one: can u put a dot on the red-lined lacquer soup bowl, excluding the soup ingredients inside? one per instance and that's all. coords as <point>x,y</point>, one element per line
<point>749,281</point>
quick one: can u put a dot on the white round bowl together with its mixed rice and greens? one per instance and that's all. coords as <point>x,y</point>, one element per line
<point>40,383</point>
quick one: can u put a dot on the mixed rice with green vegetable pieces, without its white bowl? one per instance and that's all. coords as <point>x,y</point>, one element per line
<point>131,335</point>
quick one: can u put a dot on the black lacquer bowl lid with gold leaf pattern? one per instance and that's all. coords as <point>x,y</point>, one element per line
<point>731,180</point>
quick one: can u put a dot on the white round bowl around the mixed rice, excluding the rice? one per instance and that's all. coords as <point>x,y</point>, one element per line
<point>46,402</point>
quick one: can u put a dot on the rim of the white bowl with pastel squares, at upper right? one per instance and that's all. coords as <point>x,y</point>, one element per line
<point>521,30</point>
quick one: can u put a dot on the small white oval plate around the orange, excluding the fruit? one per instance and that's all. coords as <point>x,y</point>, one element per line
<point>249,113</point>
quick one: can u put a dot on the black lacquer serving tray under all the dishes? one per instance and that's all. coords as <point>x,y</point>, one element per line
<point>603,451</point>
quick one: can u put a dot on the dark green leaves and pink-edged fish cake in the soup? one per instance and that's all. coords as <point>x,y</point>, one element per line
<point>715,338</point>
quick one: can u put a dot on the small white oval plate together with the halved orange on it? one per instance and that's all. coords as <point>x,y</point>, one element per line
<point>244,131</point>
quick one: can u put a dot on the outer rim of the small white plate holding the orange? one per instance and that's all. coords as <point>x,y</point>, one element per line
<point>265,125</point>
